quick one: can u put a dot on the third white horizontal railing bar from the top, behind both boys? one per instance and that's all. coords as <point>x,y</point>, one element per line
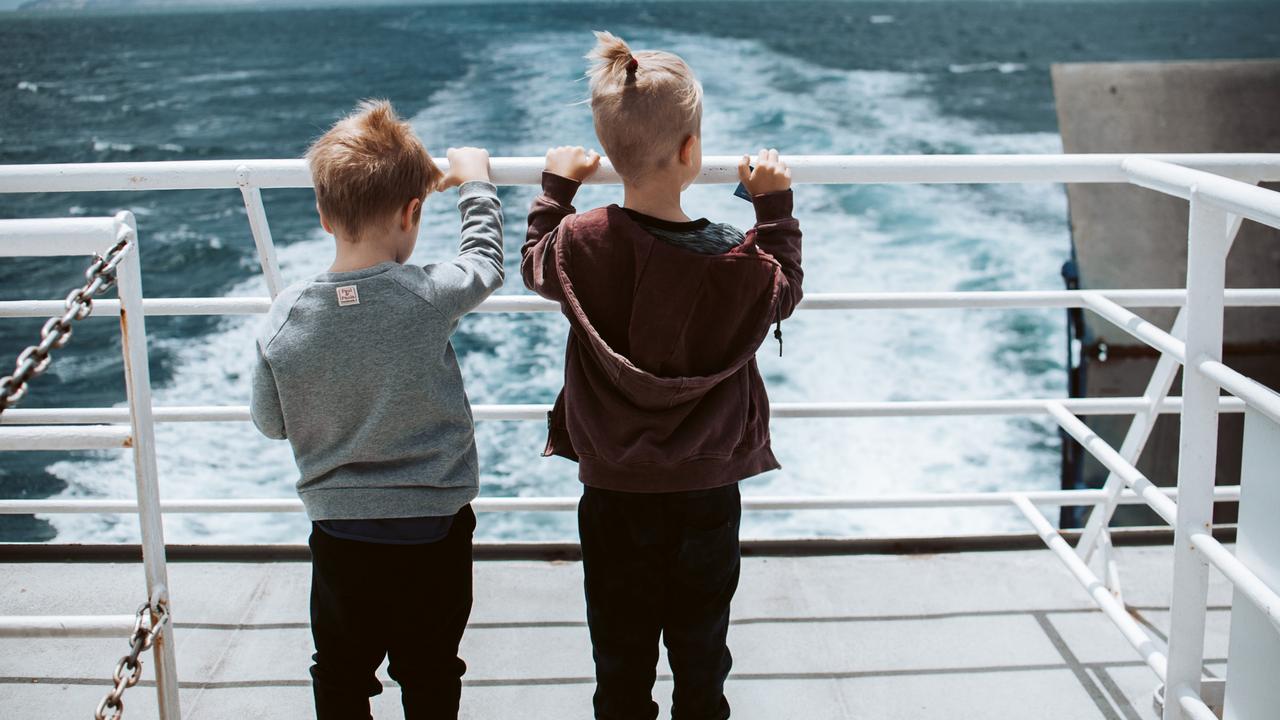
<point>789,411</point>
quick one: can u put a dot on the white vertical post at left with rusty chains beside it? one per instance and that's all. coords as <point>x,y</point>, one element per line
<point>138,381</point>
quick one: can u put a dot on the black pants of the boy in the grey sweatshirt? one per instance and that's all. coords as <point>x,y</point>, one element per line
<point>406,601</point>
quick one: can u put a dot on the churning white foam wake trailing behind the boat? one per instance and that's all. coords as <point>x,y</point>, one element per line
<point>857,239</point>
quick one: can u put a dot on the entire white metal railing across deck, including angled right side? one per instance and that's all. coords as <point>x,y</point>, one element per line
<point>1219,188</point>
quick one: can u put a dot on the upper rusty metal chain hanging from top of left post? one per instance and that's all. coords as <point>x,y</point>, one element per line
<point>99,279</point>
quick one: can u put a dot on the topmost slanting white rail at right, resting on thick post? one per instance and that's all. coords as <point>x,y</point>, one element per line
<point>1235,197</point>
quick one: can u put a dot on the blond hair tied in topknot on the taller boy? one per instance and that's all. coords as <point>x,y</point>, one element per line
<point>644,104</point>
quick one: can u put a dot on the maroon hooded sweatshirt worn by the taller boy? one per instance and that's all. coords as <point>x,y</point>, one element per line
<point>662,393</point>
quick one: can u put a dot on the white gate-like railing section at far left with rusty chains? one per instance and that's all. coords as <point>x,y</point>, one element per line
<point>98,238</point>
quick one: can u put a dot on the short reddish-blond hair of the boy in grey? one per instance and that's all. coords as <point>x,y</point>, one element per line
<point>369,166</point>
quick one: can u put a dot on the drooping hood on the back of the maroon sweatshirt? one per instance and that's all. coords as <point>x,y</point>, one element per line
<point>666,325</point>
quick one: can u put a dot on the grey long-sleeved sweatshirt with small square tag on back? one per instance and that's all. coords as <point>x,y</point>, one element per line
<point>356,370</point>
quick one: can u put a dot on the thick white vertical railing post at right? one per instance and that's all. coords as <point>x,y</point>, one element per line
<point>1197,448</point>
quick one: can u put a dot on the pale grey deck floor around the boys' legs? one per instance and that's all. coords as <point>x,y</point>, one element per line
<point>981,635</point>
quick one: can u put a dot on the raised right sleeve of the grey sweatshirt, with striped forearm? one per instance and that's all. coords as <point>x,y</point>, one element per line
<point>477,272</point>
